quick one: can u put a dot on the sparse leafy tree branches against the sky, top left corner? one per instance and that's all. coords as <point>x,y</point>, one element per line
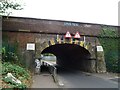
<point>6,7</point>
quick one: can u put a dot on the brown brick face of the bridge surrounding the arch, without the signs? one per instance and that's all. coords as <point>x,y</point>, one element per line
<point>44,34</point>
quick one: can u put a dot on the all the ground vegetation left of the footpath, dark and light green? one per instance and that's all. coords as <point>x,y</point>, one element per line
<point>11,64</point>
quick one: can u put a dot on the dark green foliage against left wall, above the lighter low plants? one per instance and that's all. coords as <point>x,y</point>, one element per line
<point>9,50</point>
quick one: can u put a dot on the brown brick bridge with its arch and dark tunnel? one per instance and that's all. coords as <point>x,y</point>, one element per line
<point>48,37</point>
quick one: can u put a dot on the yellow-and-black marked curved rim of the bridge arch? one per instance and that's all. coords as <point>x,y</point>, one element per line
<point>86,45</point>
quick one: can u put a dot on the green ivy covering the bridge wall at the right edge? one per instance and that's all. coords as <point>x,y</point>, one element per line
<point>109,41</point>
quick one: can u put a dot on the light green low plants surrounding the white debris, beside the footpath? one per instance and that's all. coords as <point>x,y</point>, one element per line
<point>17,71</point>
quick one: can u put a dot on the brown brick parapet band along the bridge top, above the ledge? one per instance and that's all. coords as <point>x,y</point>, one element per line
<point>50,26</point>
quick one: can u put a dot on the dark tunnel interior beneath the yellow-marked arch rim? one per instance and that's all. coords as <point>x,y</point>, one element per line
<point>70,56</point>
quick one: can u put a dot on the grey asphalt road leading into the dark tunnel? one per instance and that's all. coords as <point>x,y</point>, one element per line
<point>77,79</point>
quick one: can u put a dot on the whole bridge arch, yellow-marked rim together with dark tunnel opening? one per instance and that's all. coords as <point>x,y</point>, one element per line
<point>70,54</point>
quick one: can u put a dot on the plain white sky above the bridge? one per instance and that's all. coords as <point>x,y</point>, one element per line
<point>88,11</point>
